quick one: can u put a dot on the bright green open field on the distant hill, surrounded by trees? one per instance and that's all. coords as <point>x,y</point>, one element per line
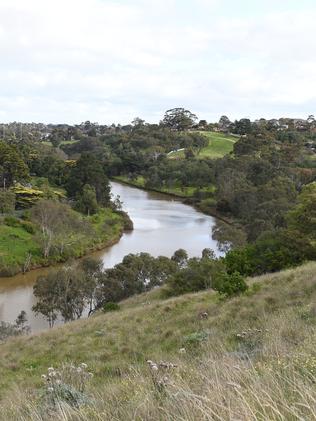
<point>219,145</point>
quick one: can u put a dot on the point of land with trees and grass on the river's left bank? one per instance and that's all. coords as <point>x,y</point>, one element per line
<point>52,209</point>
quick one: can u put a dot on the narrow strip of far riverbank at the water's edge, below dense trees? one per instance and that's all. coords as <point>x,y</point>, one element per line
<point>186,196</point>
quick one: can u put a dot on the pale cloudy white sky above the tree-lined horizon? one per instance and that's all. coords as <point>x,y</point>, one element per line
<point>67,61</point>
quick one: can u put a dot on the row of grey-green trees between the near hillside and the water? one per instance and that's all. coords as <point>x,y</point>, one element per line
<point>82,289</point>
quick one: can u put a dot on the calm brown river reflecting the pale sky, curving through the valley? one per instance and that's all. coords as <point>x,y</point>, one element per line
<point>161,226</point>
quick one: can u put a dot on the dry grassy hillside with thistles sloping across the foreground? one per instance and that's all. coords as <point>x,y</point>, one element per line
<point>249,358</point>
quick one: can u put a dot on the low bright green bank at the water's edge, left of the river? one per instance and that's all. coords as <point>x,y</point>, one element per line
<point>20,250</point>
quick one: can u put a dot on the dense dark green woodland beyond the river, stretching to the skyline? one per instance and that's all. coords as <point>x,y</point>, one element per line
<point>256,186</point>
